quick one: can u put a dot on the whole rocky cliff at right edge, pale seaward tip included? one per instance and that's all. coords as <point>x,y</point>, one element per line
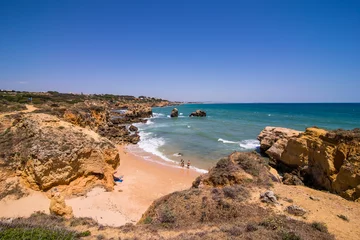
<point>325,159</point>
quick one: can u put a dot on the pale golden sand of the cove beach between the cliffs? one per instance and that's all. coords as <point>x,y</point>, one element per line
<point>143,182</point>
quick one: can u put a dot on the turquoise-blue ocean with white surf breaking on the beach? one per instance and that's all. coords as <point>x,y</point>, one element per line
<point>230,127</point>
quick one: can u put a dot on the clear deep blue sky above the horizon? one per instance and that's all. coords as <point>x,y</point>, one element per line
<point>227,51</point>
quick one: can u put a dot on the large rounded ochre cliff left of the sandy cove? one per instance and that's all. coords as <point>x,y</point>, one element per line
<point>48,152</point>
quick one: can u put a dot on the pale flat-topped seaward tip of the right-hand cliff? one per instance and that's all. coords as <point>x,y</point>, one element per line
<point>273,140</point>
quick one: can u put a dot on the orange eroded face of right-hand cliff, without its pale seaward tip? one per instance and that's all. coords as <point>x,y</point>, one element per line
<point>330,158</point>
